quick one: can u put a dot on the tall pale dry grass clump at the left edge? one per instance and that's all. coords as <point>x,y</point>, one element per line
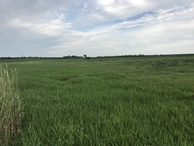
<point>10,105</point>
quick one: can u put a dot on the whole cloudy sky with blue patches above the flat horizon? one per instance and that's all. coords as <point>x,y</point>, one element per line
<point>56,28</point>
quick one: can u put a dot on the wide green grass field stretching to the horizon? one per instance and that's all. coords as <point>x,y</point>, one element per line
<point>126,101</point>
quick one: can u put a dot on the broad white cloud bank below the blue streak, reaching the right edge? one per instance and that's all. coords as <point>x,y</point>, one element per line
<point>152,34</point>
